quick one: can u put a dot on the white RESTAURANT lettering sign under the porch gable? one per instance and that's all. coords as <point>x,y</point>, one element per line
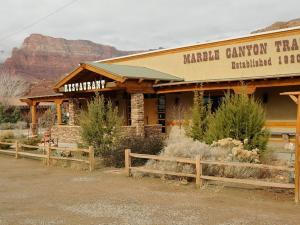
<point>84,86</point>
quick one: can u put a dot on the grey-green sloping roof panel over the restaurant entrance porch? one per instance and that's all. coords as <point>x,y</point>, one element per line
<point>134,72</point>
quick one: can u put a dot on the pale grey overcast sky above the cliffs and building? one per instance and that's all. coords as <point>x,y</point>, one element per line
<point>138,24</point>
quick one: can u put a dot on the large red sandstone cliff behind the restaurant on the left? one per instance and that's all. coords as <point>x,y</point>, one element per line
<point>48,58</point>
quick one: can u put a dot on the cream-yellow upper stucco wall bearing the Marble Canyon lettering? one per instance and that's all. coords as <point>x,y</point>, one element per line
<point>265,46</point>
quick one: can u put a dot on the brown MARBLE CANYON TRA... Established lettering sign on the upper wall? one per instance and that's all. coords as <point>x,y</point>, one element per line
<point>242,56</point>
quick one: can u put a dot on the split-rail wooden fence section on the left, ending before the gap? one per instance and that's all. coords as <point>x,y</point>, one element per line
<point>16,149</point>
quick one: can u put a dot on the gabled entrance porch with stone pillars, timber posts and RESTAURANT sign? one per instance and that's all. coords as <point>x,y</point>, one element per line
<point>127,87</point>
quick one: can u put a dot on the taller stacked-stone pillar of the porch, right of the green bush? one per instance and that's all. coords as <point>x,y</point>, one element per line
<point>137,113</point>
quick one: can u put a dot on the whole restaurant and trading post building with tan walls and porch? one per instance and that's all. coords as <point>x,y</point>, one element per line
<point>154,90</point>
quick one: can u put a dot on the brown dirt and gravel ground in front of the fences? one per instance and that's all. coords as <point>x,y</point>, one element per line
<point>32,194</point>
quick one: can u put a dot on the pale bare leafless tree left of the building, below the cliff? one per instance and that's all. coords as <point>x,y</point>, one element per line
<point>12,85</point>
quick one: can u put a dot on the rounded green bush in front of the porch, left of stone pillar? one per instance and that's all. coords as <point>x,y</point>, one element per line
<point>100,126</point>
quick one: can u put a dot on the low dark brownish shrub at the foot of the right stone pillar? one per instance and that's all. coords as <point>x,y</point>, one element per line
<point>137,144</point>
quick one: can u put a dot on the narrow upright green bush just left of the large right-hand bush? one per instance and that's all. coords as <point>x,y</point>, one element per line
<point>201,112</point>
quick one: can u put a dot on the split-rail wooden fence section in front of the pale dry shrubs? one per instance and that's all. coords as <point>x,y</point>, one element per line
<point>198,175</point>
